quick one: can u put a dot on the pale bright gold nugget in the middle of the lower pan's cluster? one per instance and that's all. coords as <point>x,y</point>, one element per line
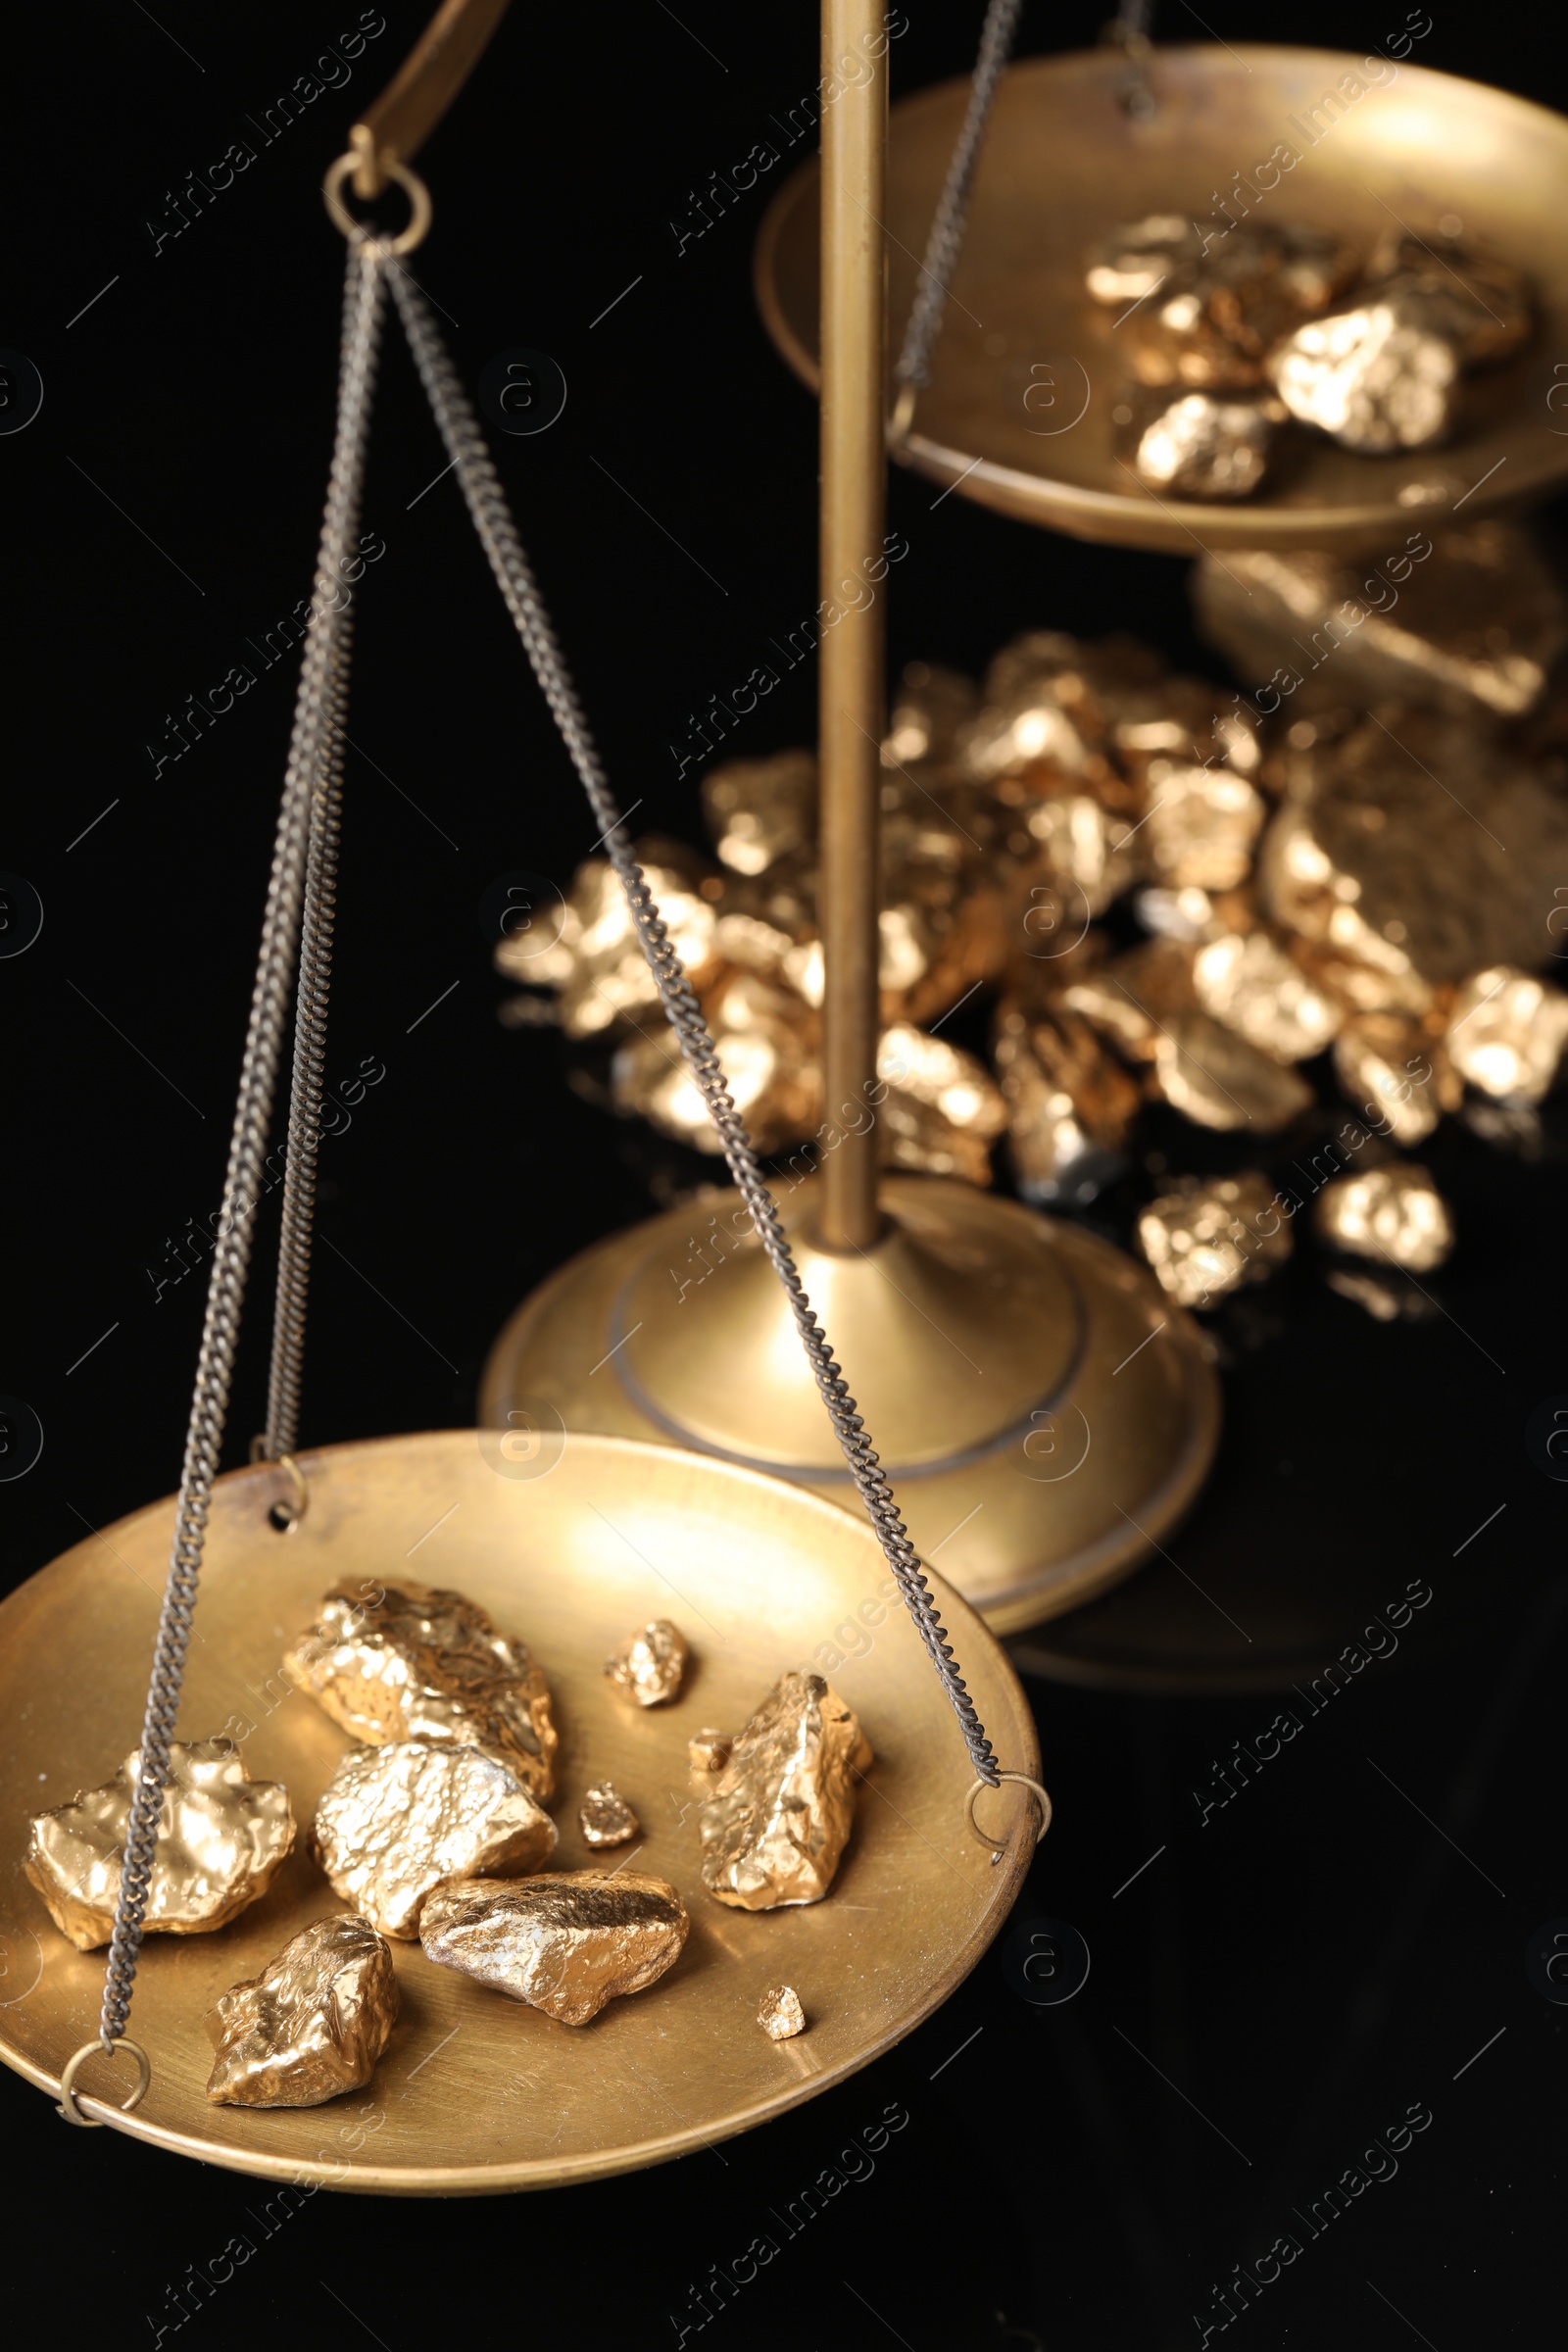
<point>396,1822</point>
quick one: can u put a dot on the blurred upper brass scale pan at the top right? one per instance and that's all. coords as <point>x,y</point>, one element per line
<point>1064,163</point>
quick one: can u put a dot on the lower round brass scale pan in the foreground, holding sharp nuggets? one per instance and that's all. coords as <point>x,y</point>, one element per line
<point>570,1549</point>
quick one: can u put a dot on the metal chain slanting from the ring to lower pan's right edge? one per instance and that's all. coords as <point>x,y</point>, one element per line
<point>514,577</point>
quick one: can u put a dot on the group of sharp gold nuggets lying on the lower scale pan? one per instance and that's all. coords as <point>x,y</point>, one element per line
<point>436,1831</point>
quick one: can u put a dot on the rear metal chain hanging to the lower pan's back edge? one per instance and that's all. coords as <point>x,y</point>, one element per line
<point>309,1062</point>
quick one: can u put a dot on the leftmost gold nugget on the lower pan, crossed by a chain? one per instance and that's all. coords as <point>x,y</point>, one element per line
<point>220,1840</point>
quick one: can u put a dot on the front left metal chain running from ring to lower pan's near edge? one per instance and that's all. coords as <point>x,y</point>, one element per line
<point>309,763</point>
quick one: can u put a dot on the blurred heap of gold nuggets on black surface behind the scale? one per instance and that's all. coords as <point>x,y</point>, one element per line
<point>1351,878</point>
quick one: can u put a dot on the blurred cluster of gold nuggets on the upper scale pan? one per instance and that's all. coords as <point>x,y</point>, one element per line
<point>1242,333</point>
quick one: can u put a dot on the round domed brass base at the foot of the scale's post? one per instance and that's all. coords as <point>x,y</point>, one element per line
<point>1043,1410</point>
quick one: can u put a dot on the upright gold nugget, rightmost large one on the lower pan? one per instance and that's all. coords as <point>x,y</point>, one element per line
<point>786,1803</point>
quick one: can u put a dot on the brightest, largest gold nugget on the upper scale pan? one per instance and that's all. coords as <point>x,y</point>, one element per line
<point>1376,375</point>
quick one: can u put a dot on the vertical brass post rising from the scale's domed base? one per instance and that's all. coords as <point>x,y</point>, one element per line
<point>852,648</point>
